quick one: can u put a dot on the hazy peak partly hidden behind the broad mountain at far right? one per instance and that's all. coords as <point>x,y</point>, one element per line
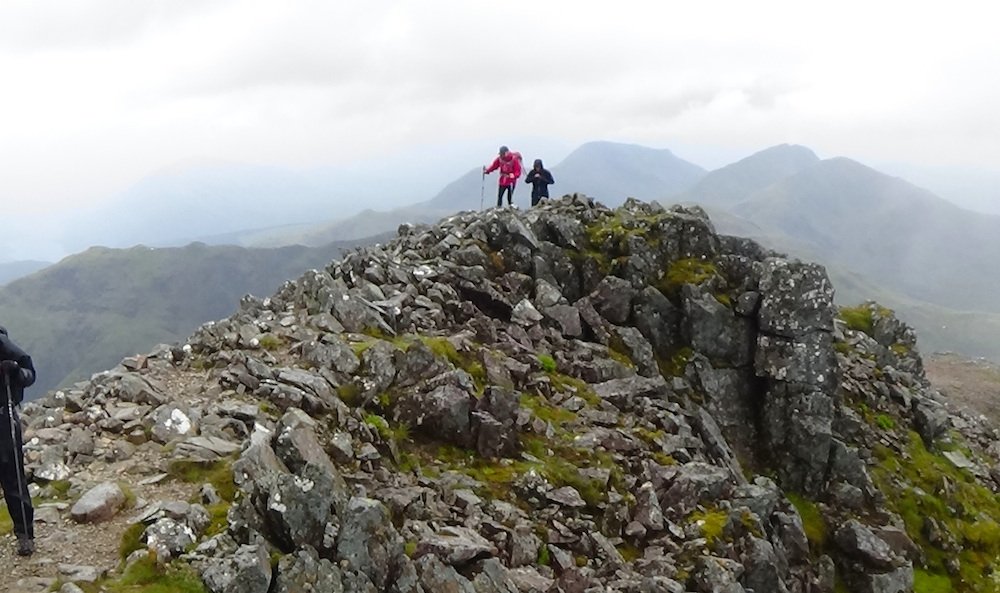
<point>733,183</point>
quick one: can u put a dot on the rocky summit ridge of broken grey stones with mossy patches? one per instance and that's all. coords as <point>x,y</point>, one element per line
<point>566,399</point>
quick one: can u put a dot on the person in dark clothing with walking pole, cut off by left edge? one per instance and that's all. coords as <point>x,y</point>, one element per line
<point>16,373</point>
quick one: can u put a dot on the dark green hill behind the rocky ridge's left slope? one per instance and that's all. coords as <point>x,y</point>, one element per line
<point>89,310</point>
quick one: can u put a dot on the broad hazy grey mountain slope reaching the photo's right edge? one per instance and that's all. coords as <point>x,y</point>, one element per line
<point>886,229</point>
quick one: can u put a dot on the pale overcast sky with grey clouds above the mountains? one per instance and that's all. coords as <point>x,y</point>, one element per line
<point>98,94</point>
